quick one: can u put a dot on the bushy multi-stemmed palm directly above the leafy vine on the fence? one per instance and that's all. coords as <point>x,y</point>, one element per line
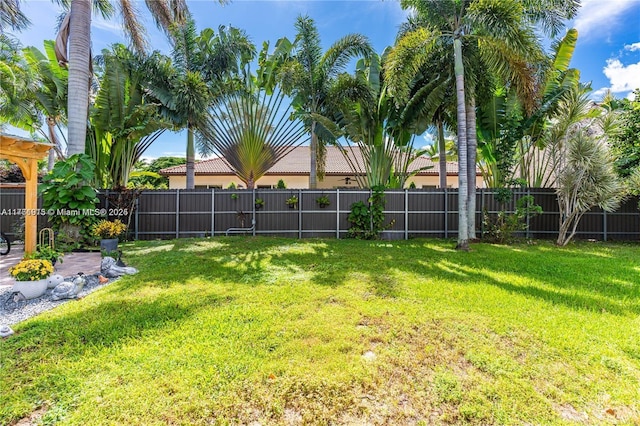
<point>383,131</point>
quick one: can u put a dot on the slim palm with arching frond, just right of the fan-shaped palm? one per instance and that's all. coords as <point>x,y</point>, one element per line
<point>311,79</point>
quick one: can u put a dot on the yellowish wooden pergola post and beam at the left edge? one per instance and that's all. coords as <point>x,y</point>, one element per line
<point>26,153</point>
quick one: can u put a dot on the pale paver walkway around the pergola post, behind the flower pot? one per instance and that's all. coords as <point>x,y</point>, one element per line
<point>72,263</point>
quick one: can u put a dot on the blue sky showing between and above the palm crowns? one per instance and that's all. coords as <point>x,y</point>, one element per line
<point>607,54</point>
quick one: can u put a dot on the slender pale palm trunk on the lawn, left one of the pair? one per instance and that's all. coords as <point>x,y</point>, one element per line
<point>463,222</point>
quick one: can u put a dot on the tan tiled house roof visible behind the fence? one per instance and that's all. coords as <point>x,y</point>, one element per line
<point>297,163</point>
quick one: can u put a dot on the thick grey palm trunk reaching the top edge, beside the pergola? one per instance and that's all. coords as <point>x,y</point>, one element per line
<point>79,74</point>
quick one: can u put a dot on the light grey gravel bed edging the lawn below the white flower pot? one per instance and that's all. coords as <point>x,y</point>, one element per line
<point>15,309</point>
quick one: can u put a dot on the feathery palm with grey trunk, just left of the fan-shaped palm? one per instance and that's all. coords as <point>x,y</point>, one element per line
<point>202,69</point>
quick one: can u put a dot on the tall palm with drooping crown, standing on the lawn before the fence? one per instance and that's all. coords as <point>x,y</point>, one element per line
<point>502,32</point>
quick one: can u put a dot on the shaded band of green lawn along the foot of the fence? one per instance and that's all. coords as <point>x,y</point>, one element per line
<point>593,281</point>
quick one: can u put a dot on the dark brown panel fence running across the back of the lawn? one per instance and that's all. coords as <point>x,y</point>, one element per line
<point>415,213</point>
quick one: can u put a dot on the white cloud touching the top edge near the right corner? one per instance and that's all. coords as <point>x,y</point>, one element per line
<point>596,14</point>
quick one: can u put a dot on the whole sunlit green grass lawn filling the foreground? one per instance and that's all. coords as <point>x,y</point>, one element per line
<point>280,331</point>
